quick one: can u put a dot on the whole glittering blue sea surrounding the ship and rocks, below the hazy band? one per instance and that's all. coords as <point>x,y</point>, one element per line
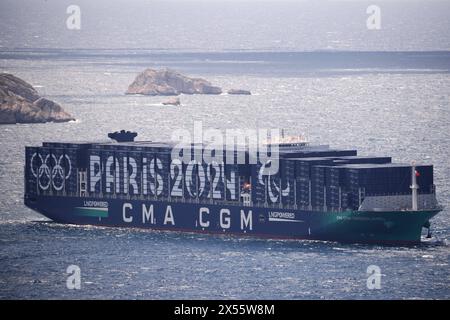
<point>394,104</point>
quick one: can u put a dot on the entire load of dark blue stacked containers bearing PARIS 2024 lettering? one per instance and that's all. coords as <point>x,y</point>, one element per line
<point>318,178</point>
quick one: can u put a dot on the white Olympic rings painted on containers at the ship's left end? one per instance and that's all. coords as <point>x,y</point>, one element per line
<point>55,175</point>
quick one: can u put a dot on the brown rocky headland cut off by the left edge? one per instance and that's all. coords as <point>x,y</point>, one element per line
<point>20,103</point>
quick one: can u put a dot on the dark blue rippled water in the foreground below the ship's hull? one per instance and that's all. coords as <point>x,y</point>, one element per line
<point>123,263</point>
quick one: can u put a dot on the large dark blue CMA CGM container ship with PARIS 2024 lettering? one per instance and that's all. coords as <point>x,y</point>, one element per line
<point>318,193</point>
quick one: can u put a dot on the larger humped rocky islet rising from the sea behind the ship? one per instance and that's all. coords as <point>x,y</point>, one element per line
<point>167,82</point>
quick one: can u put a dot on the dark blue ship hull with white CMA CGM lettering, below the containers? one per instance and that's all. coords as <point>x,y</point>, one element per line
<point>383,227</point>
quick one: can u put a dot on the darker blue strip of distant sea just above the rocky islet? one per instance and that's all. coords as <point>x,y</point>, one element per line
<point>248,62</point>
